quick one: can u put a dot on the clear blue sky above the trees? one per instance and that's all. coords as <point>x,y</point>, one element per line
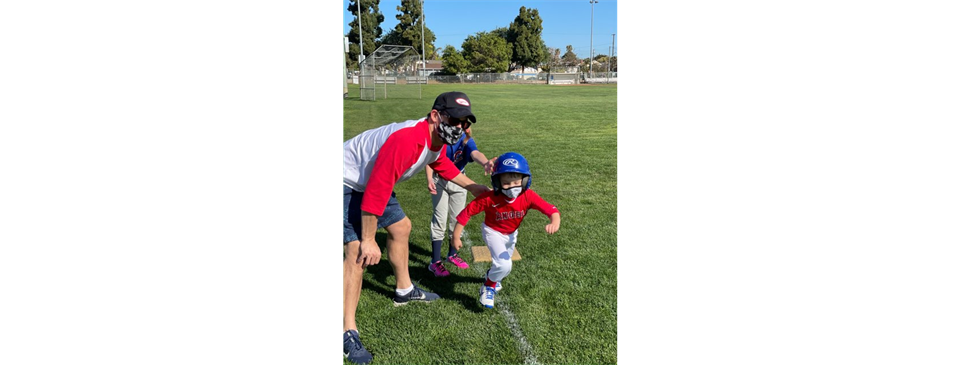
<point>565,22</point>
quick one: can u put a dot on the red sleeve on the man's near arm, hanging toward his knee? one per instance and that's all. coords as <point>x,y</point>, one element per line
<point>395,157</point>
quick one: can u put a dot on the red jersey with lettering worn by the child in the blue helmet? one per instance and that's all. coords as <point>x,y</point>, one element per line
<point>503,215</point>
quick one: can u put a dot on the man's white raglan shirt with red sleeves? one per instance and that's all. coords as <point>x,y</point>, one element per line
<point>376,160</point>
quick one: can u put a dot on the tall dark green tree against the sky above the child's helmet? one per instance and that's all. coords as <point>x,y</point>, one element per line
<point>525,36</point>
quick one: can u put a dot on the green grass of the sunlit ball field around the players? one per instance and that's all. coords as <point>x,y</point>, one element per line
<point>563,294</point>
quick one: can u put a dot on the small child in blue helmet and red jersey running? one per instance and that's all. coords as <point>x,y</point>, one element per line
<point>504,208</point>
